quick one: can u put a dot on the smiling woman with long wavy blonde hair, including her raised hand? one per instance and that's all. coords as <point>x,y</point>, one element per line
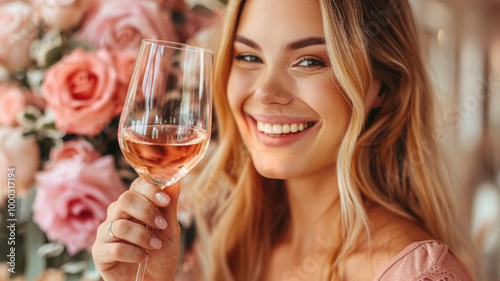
<point>326,168</point>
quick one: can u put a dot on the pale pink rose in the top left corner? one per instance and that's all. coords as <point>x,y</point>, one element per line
<point>16,35</point>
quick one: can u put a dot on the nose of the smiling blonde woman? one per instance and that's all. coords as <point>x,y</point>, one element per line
<point>272,90</point>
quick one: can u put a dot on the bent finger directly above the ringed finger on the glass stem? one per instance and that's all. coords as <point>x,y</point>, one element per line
<point>138,207</point>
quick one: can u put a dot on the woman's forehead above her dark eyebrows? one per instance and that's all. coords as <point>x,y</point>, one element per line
<point>280,18</point>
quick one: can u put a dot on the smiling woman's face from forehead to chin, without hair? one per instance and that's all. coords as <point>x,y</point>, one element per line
<point>286,103</point>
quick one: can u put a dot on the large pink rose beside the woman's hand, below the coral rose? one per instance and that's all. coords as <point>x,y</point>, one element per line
<point>72,199</point>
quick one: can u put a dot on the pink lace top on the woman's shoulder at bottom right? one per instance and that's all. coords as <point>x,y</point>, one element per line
<point>425,261</point>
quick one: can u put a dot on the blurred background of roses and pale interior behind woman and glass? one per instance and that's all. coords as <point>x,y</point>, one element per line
<point>62,137</point>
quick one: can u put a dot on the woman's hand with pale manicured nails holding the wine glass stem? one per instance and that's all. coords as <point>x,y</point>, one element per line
<point>119,248</point>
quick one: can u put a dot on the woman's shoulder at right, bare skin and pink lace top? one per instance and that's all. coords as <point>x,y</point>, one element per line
<point>401,249</point>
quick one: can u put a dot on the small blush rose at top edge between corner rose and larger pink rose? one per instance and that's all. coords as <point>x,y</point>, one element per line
<point>61,14</point>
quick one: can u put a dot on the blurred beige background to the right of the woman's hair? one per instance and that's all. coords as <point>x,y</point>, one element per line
<point>462,46</point>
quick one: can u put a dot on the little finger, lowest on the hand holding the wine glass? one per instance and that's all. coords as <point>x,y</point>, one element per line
<point>112,253</point>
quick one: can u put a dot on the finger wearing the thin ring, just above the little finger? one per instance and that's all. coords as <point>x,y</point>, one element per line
<point>133,233</point>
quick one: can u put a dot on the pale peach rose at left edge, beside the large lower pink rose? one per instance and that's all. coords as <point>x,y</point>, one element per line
<point>20,152</point>
